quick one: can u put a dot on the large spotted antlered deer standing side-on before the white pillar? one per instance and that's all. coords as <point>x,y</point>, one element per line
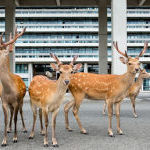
<point>112,88</point>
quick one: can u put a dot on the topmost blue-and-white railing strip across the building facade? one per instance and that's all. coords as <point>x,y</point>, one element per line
<point>49,11</point>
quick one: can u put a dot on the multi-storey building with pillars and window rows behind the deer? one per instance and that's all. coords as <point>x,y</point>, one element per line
<point>67,31</point>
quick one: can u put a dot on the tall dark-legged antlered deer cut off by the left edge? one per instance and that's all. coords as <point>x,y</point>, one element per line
<point>13,88</point>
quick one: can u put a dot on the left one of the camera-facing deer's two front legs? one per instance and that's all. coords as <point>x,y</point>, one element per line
<point>45,112</point>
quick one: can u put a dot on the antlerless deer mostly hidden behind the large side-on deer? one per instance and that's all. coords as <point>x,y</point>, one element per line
<point>134,90</point>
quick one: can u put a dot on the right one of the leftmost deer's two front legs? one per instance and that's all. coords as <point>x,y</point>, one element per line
<point>16,108</point>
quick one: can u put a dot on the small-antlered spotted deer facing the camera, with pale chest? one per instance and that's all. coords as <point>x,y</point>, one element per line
<point>48,95</point>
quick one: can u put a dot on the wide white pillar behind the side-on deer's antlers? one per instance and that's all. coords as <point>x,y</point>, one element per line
<point>119,33</point>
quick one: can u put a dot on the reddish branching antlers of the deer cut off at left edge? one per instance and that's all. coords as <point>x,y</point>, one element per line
<point>12,40</point>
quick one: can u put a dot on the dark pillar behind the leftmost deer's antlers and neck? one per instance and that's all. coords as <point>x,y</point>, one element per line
<point>10,27</point>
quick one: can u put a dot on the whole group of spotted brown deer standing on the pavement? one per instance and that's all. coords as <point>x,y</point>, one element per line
<point>47,95</point>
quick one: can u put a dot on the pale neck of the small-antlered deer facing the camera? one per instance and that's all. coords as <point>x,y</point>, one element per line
<point>61,88</point>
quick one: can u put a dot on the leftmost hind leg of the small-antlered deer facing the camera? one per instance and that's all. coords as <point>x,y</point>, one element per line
<point>34,109</point>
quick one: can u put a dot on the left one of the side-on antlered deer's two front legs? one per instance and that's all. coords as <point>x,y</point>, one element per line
<point>110,113</point>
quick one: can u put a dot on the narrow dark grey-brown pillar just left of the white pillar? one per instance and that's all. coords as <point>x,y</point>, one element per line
<point>102,37</point>
